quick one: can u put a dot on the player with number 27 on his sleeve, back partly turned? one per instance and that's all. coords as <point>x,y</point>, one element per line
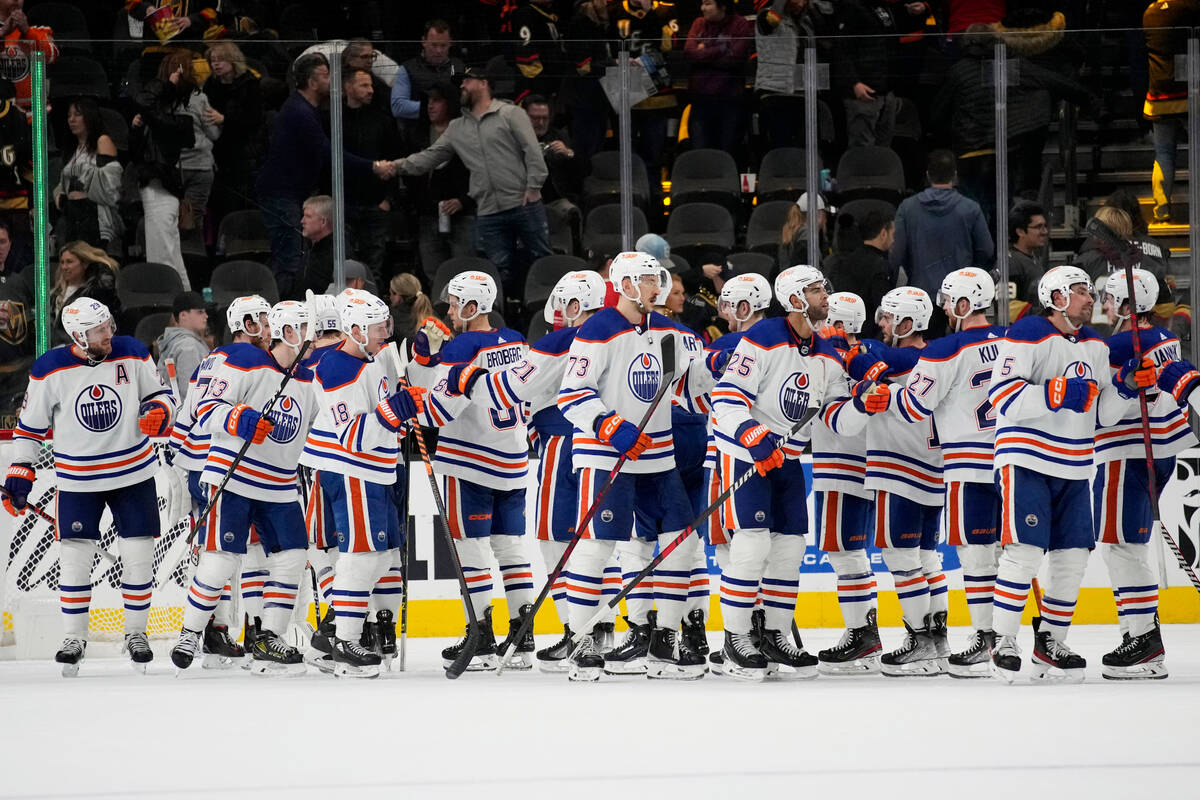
<point>950,386</point>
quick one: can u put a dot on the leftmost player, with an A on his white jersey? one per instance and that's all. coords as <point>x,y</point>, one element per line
<point>103,399</point>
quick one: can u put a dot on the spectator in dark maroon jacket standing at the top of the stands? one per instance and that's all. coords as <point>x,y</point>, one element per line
<point>719,47</point>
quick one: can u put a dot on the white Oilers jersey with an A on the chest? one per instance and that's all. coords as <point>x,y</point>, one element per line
<point>92,413</point>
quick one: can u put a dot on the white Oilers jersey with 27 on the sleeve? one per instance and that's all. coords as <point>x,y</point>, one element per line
<point>950,384</point>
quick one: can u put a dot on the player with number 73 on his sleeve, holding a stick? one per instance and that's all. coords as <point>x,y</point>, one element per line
<point>614,375</point>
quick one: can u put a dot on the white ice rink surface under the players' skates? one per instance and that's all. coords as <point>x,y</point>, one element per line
<point>111,733</point>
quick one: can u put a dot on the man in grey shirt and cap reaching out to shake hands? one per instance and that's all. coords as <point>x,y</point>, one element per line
<point>496,142</point>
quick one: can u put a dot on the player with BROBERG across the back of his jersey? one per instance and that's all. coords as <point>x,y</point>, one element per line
<point>483,456</point>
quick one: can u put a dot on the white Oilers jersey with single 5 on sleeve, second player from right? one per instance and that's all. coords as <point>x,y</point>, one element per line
<point>1029,434</point>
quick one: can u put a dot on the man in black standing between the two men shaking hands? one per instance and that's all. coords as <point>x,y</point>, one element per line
<point>371,134</point>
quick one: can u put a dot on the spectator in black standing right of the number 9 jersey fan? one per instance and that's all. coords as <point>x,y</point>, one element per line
<point>590,52</point>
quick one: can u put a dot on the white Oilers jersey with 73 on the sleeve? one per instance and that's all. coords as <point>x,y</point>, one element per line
<point>616,366</point>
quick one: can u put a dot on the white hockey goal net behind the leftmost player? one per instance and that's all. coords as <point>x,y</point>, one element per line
<point>31,592</point>
